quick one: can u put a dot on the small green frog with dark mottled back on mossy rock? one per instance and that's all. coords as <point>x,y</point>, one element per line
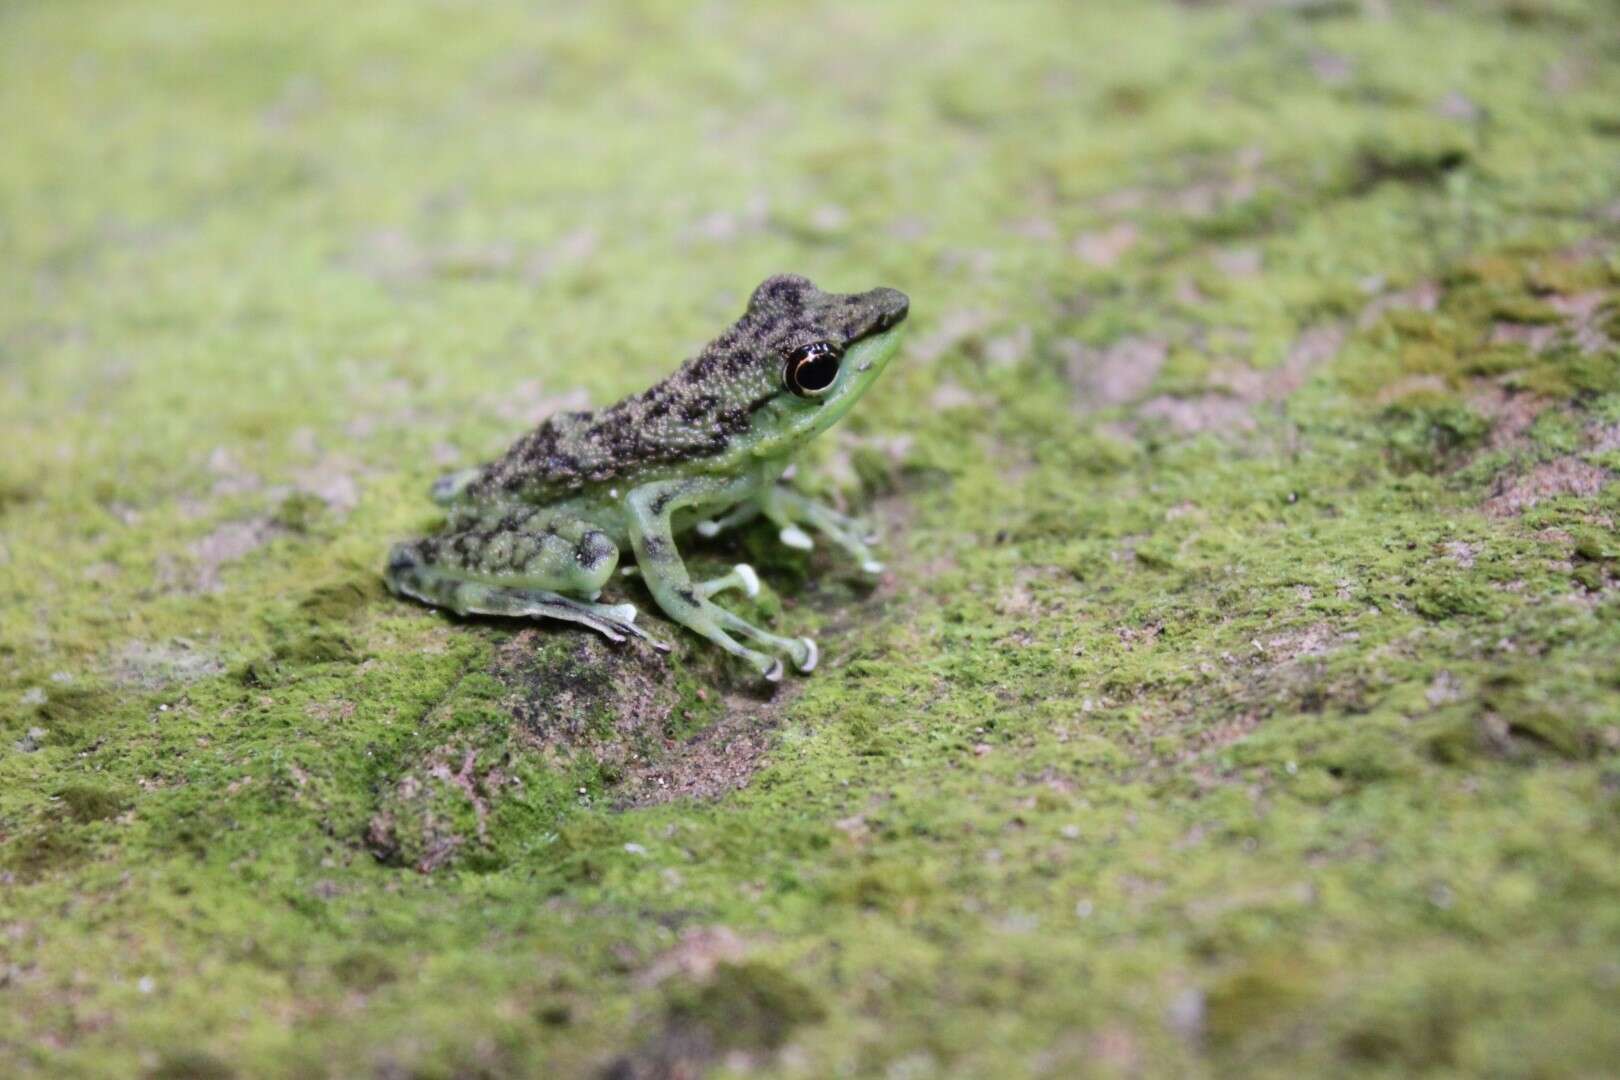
<point>539,532</point>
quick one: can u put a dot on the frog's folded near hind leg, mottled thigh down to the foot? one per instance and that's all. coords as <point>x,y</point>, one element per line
<point>518,564</point>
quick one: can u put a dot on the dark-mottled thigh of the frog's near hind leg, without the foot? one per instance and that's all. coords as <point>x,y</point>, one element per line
<point>518,550</point>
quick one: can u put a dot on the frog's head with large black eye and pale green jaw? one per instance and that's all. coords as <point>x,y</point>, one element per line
<point>816,352</point>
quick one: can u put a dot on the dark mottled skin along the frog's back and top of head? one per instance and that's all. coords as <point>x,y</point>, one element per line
<point>699,412</point>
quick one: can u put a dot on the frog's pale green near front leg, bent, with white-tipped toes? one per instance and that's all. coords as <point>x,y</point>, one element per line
<point>667,576</point>
